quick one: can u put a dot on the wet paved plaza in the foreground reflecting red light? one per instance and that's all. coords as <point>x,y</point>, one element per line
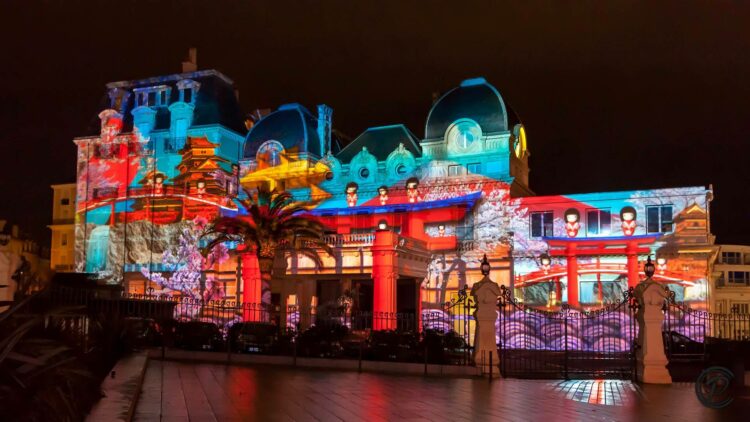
<point>175,391</point>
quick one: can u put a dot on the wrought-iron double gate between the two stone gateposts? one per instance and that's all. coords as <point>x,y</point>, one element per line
<point>567,343</point>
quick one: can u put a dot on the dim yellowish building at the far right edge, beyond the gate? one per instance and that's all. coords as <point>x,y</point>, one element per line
<point>730,290</point>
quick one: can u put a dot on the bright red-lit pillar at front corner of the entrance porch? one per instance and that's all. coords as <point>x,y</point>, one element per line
<point>384,267</point>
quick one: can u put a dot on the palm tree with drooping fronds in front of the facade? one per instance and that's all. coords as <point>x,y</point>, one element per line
<point>275,224</point>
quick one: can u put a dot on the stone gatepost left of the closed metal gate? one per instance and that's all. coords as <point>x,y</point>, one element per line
<point>485,294</point>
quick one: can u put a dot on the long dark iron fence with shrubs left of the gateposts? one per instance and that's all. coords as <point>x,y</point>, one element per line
<point>438,336</point>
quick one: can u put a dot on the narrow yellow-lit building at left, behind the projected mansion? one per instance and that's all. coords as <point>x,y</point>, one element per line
<point>62,227</point>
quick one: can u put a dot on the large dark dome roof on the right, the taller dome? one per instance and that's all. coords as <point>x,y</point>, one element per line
<point>474,99</point>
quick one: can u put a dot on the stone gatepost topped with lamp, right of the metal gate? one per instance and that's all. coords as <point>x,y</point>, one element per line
<point>652,362</point>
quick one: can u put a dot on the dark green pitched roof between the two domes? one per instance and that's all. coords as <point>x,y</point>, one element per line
<point>380,142</point>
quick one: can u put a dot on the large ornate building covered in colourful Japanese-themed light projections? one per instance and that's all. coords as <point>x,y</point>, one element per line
<point>409,217</point>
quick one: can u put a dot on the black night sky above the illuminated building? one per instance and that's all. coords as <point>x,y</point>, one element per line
<point>614,95</point>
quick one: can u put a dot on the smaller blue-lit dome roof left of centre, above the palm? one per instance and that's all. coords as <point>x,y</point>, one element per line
<point>292,125</point>
